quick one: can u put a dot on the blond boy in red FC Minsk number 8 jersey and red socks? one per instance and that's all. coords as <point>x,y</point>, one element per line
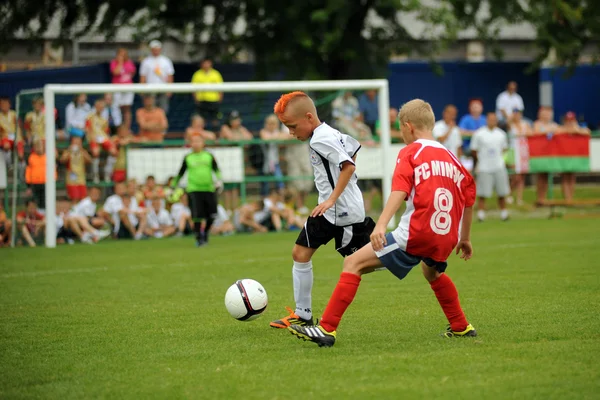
<point>439,195</point>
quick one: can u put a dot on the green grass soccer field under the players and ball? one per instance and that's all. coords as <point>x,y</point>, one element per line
<point>147,320</point>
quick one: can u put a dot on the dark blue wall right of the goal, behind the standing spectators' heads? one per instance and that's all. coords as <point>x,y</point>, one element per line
<point>461,82</point>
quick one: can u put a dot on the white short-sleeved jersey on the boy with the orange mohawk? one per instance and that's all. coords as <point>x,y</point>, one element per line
<point>329,149</point>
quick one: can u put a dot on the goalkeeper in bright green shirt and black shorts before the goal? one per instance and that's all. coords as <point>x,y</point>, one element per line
<point>201,188</point>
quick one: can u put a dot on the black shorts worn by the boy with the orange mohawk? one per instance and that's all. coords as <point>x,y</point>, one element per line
<point>348,239</point>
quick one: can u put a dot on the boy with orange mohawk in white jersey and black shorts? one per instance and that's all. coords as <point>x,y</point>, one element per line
<point>340,214</point>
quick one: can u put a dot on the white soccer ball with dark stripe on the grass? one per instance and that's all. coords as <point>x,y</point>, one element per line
<point>246,299</point>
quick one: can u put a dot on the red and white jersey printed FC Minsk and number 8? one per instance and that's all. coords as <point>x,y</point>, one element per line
<point>439,188</point>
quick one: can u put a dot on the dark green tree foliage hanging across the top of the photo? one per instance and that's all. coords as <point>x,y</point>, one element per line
<point>314,38</point>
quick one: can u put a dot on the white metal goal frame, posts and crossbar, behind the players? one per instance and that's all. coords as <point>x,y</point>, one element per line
<point>50,90</point>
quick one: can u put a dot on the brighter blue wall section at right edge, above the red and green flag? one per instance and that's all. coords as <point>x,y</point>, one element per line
<point>579,93</point>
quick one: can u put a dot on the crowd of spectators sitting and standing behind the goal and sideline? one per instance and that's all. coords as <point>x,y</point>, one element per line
<point>488,143</point>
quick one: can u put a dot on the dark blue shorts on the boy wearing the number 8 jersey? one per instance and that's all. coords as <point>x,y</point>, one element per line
<point>399,262</point>
